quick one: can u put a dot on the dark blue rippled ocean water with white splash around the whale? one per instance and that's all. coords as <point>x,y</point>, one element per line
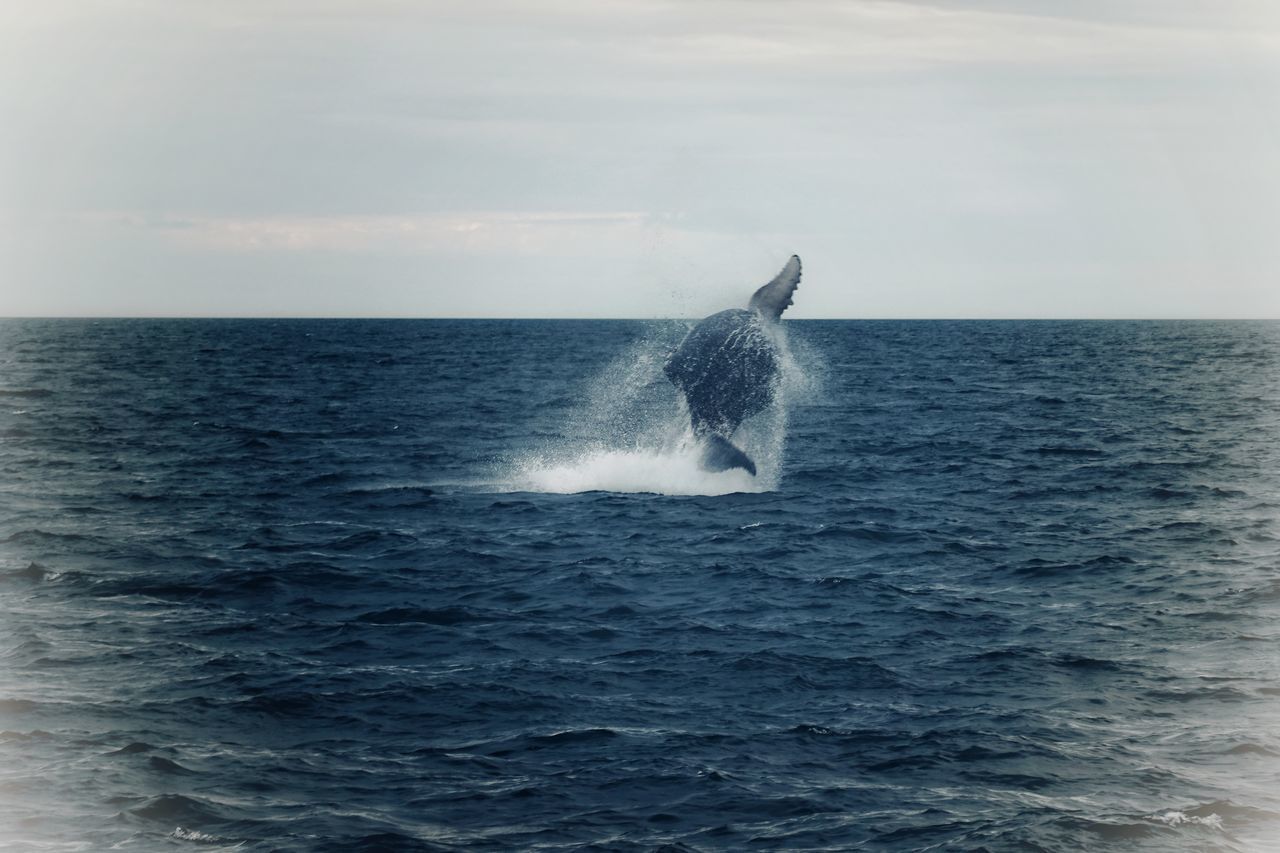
<point>433,586</point>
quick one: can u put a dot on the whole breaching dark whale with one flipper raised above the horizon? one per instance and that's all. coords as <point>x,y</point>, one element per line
<point>728,370</point>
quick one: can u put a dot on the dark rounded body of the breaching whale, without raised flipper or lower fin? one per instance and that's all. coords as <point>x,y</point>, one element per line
<point>728,370</point>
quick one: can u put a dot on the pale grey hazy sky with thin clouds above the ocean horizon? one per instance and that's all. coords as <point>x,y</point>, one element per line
<point>641,158</point>
